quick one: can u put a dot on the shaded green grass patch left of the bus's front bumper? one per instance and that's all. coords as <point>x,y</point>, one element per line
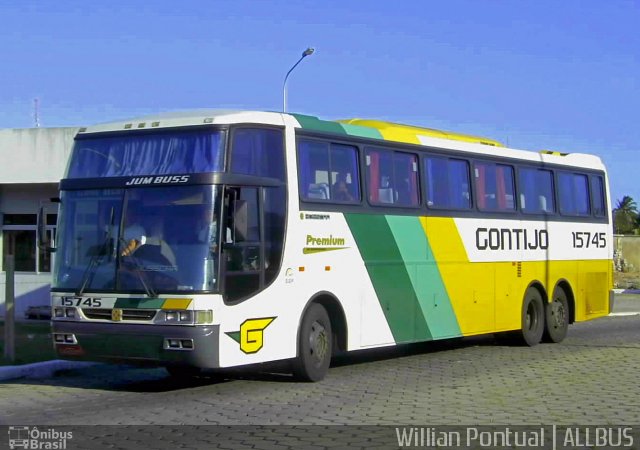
<point>33,343</point>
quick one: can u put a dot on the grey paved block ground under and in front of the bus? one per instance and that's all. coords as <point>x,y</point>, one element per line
<point>591,378</point>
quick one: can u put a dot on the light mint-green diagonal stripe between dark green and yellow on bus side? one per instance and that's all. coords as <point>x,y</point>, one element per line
<point>425,277</point>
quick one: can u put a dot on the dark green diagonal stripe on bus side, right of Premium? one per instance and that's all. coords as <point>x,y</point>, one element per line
<point>389,277</point>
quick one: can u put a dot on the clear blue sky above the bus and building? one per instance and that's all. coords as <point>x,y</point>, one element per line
<point>534,74</point>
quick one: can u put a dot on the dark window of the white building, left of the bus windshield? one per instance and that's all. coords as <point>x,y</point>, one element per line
<point>19,239</point>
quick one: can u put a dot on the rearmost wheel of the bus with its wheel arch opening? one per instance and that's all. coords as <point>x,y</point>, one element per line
<point>559,313</point>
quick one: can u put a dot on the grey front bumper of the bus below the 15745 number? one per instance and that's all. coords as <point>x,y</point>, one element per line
<point>138,344</point>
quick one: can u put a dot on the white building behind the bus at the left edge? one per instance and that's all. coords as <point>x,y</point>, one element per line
<point>33,162</point>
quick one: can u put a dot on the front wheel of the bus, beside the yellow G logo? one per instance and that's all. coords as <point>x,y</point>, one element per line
<point>314,345</point>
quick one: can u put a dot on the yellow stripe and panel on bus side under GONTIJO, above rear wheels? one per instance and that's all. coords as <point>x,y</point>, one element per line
<point>487,296</point>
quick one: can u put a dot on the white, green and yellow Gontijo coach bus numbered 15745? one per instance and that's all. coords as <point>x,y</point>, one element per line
<point>213,239</point>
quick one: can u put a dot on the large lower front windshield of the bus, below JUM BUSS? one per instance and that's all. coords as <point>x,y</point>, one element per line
<point>152,240</point>
